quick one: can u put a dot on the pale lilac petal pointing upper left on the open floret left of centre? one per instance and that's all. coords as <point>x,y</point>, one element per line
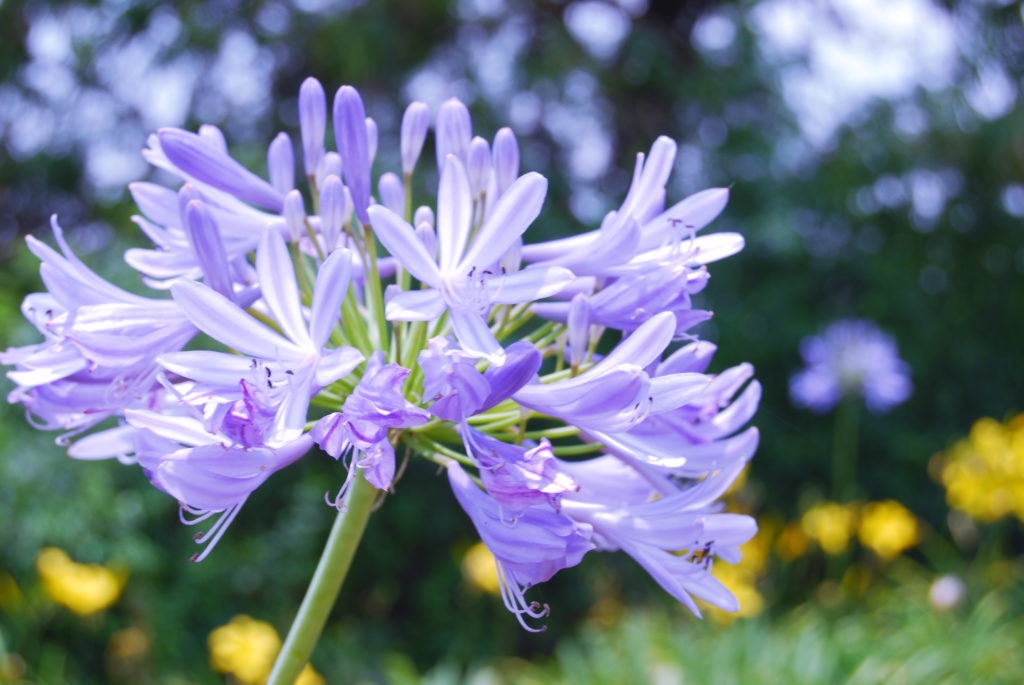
<point>223,320</point>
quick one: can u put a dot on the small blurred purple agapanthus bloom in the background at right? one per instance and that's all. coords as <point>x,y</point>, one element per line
<point>851,358</point>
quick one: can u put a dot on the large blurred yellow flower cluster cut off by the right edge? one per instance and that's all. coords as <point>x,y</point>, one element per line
<point>985,474</point>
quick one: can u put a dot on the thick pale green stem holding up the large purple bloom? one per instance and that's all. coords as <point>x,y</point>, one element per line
<point>326,584</point>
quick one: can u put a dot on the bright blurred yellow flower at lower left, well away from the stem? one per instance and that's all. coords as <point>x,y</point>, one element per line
<point>84,589</point>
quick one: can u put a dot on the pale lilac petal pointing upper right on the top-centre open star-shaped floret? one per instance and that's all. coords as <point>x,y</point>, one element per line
<point>513,216</point>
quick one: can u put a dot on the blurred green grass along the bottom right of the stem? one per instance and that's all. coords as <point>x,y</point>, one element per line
<point>892,636</point>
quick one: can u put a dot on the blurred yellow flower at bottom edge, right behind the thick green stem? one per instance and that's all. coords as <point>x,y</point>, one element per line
<point>246,649</point>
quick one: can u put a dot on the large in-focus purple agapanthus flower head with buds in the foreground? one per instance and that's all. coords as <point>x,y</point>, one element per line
<point>559,382</point>
